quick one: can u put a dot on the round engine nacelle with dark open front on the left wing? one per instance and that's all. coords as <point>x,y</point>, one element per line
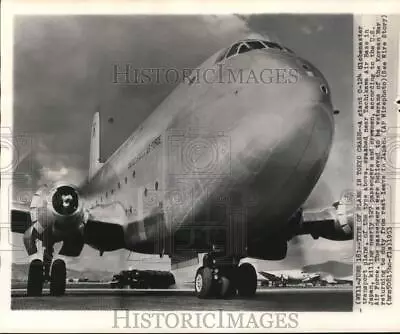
<point>59,208</point>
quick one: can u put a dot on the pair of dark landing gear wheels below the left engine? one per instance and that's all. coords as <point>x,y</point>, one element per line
<point>39,272</point>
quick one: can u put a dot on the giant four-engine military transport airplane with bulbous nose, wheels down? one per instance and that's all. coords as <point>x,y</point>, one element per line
<point>222,166</point>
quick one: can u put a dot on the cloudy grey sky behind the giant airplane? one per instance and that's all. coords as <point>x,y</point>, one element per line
<point>63,73</point>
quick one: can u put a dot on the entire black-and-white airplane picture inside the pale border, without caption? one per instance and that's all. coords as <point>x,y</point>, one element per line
<point>183,162</point>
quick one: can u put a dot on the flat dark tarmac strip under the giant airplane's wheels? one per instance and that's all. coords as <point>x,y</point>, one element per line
<point>276,299</point>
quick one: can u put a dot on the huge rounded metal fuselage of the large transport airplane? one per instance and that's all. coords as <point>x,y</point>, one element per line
<point>235,155</point>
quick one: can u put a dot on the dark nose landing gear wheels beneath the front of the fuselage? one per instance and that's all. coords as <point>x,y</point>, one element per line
<point>222,277</point>
